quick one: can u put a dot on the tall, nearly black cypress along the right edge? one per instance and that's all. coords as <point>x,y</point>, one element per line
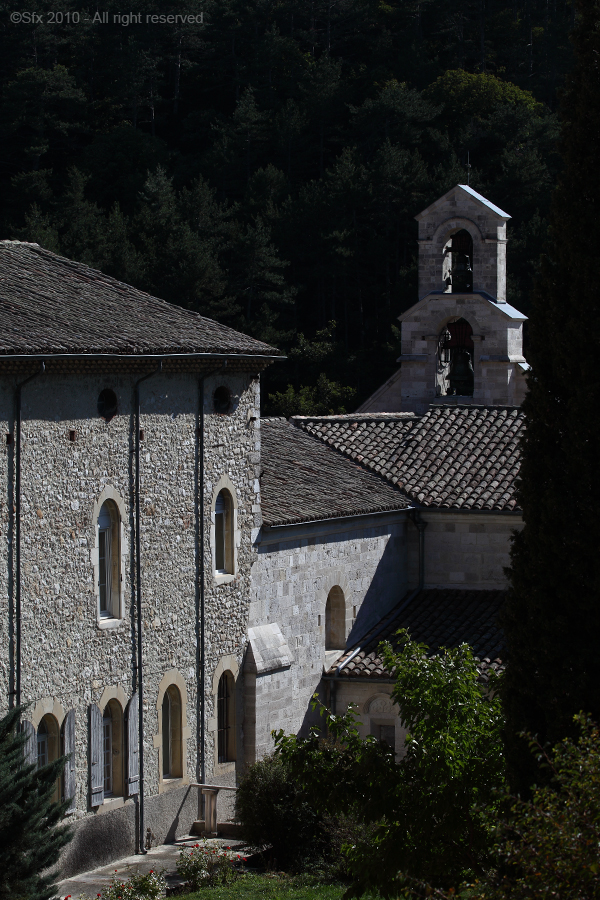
<point>552,621</point>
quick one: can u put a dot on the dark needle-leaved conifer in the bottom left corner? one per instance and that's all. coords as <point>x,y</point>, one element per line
<point>31,835</point>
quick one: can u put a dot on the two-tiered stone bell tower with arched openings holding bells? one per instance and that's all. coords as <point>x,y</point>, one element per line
<point>461,342</point>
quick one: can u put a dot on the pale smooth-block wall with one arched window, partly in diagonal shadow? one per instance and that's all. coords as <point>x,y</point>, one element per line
<point>296,568</point>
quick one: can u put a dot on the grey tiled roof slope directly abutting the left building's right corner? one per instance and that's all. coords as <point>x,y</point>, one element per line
<point>303,480</point>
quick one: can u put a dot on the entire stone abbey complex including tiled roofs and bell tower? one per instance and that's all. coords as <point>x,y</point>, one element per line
<point>180,576</point>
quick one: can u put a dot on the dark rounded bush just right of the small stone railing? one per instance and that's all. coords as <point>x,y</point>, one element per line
<point>272,811</point>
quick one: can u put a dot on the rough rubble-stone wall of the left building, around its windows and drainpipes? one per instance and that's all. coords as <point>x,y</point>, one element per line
<point>66,657</point>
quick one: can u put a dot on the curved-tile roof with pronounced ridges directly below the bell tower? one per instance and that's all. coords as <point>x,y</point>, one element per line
<point>453,457</point>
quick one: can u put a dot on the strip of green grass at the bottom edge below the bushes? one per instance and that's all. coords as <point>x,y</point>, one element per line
<point>269,887</point>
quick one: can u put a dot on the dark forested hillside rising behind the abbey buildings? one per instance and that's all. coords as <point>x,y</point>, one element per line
<point>263,166</point>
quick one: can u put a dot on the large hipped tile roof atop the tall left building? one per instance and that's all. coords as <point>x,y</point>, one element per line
<point>49,304</point>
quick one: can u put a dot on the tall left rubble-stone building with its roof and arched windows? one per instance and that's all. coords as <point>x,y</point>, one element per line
<point>129,483</point>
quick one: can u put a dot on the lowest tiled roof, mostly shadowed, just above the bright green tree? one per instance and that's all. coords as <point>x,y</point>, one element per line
<point>439,618</point>
